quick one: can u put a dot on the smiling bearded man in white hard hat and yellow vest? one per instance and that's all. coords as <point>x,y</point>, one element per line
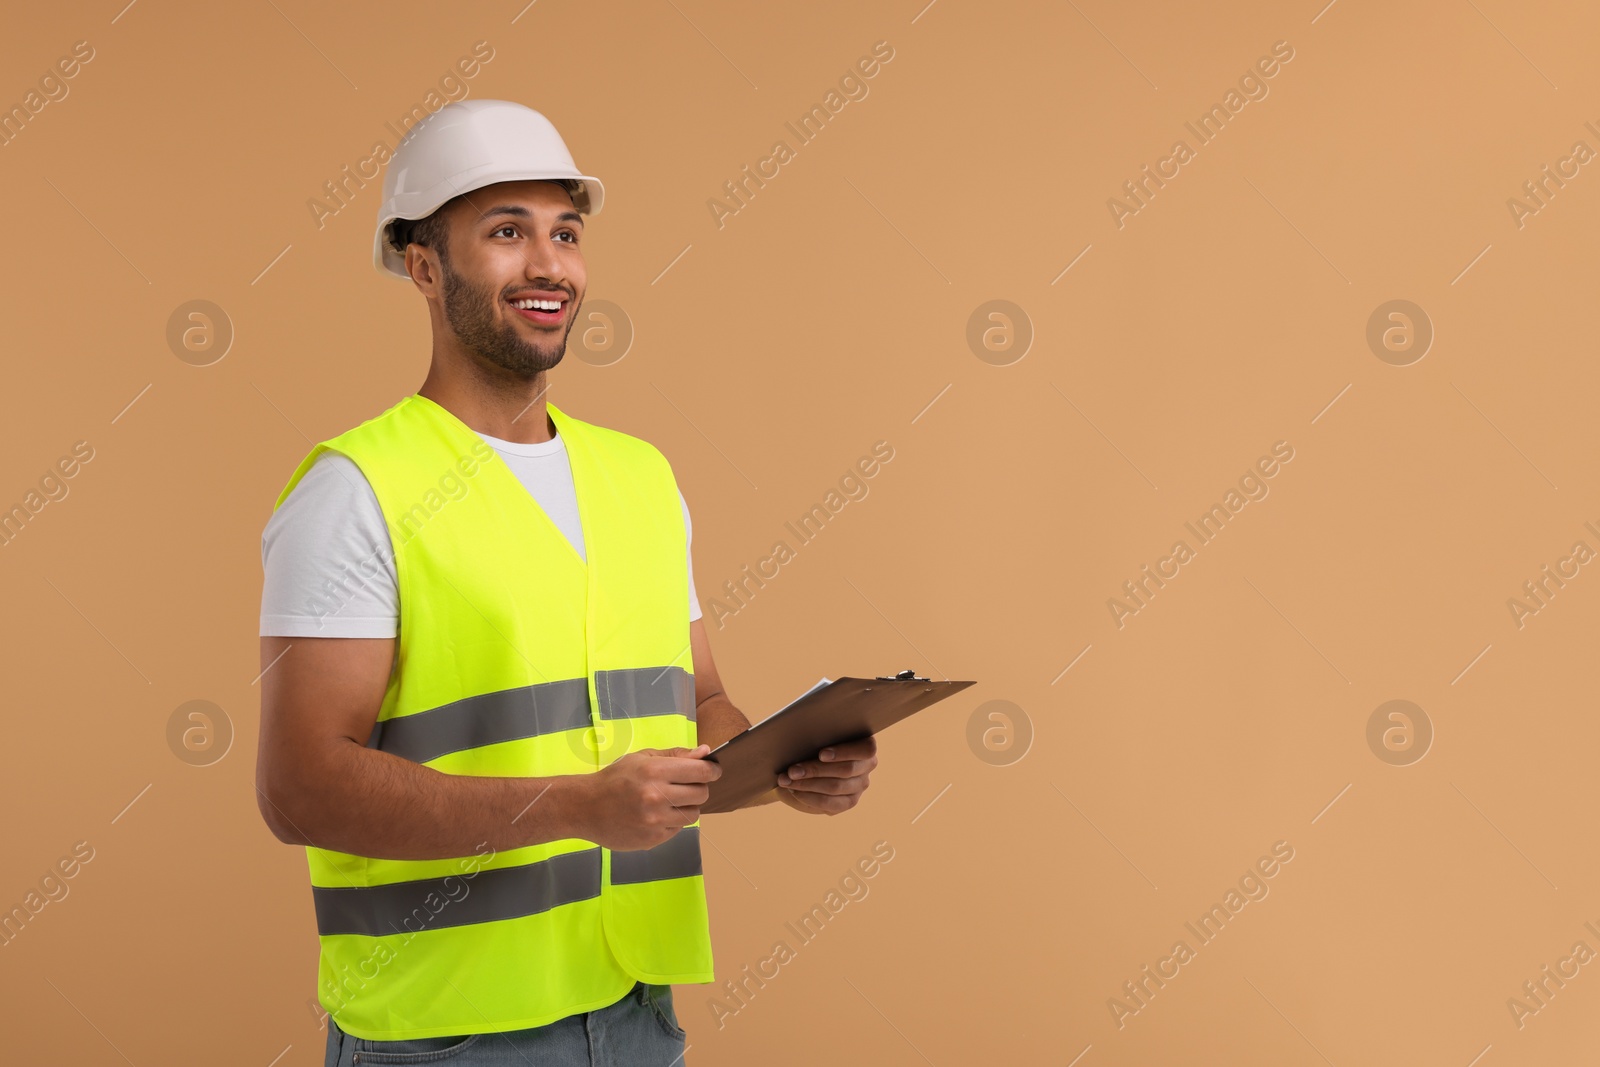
<point>484,709</point>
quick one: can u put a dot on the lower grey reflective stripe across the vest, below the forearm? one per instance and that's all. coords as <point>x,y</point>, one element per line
<point>407,908</point>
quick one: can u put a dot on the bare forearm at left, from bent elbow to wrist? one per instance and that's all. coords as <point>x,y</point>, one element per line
<point>375,804</point>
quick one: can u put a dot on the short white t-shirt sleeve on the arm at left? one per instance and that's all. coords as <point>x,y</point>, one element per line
<point>327,559</point>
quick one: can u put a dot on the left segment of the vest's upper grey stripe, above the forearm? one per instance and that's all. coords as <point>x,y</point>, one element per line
<point>487,719</point>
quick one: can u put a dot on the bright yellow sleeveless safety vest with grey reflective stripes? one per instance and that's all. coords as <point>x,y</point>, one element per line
<point>518,658</point>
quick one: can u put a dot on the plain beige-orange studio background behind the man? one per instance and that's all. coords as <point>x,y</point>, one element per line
<point>770,354</point>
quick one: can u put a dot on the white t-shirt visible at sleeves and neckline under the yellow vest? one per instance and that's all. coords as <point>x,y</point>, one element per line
<point>329,561</point>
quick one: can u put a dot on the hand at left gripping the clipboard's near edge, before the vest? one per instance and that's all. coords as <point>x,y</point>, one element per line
<point>646,797</point>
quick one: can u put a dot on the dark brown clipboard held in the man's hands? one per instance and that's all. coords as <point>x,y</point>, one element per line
<point>830,713</point>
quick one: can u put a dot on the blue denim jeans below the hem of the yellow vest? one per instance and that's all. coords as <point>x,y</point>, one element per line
<point>639,1031</point>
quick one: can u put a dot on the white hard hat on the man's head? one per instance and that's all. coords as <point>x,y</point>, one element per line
<point>465,146</point>
